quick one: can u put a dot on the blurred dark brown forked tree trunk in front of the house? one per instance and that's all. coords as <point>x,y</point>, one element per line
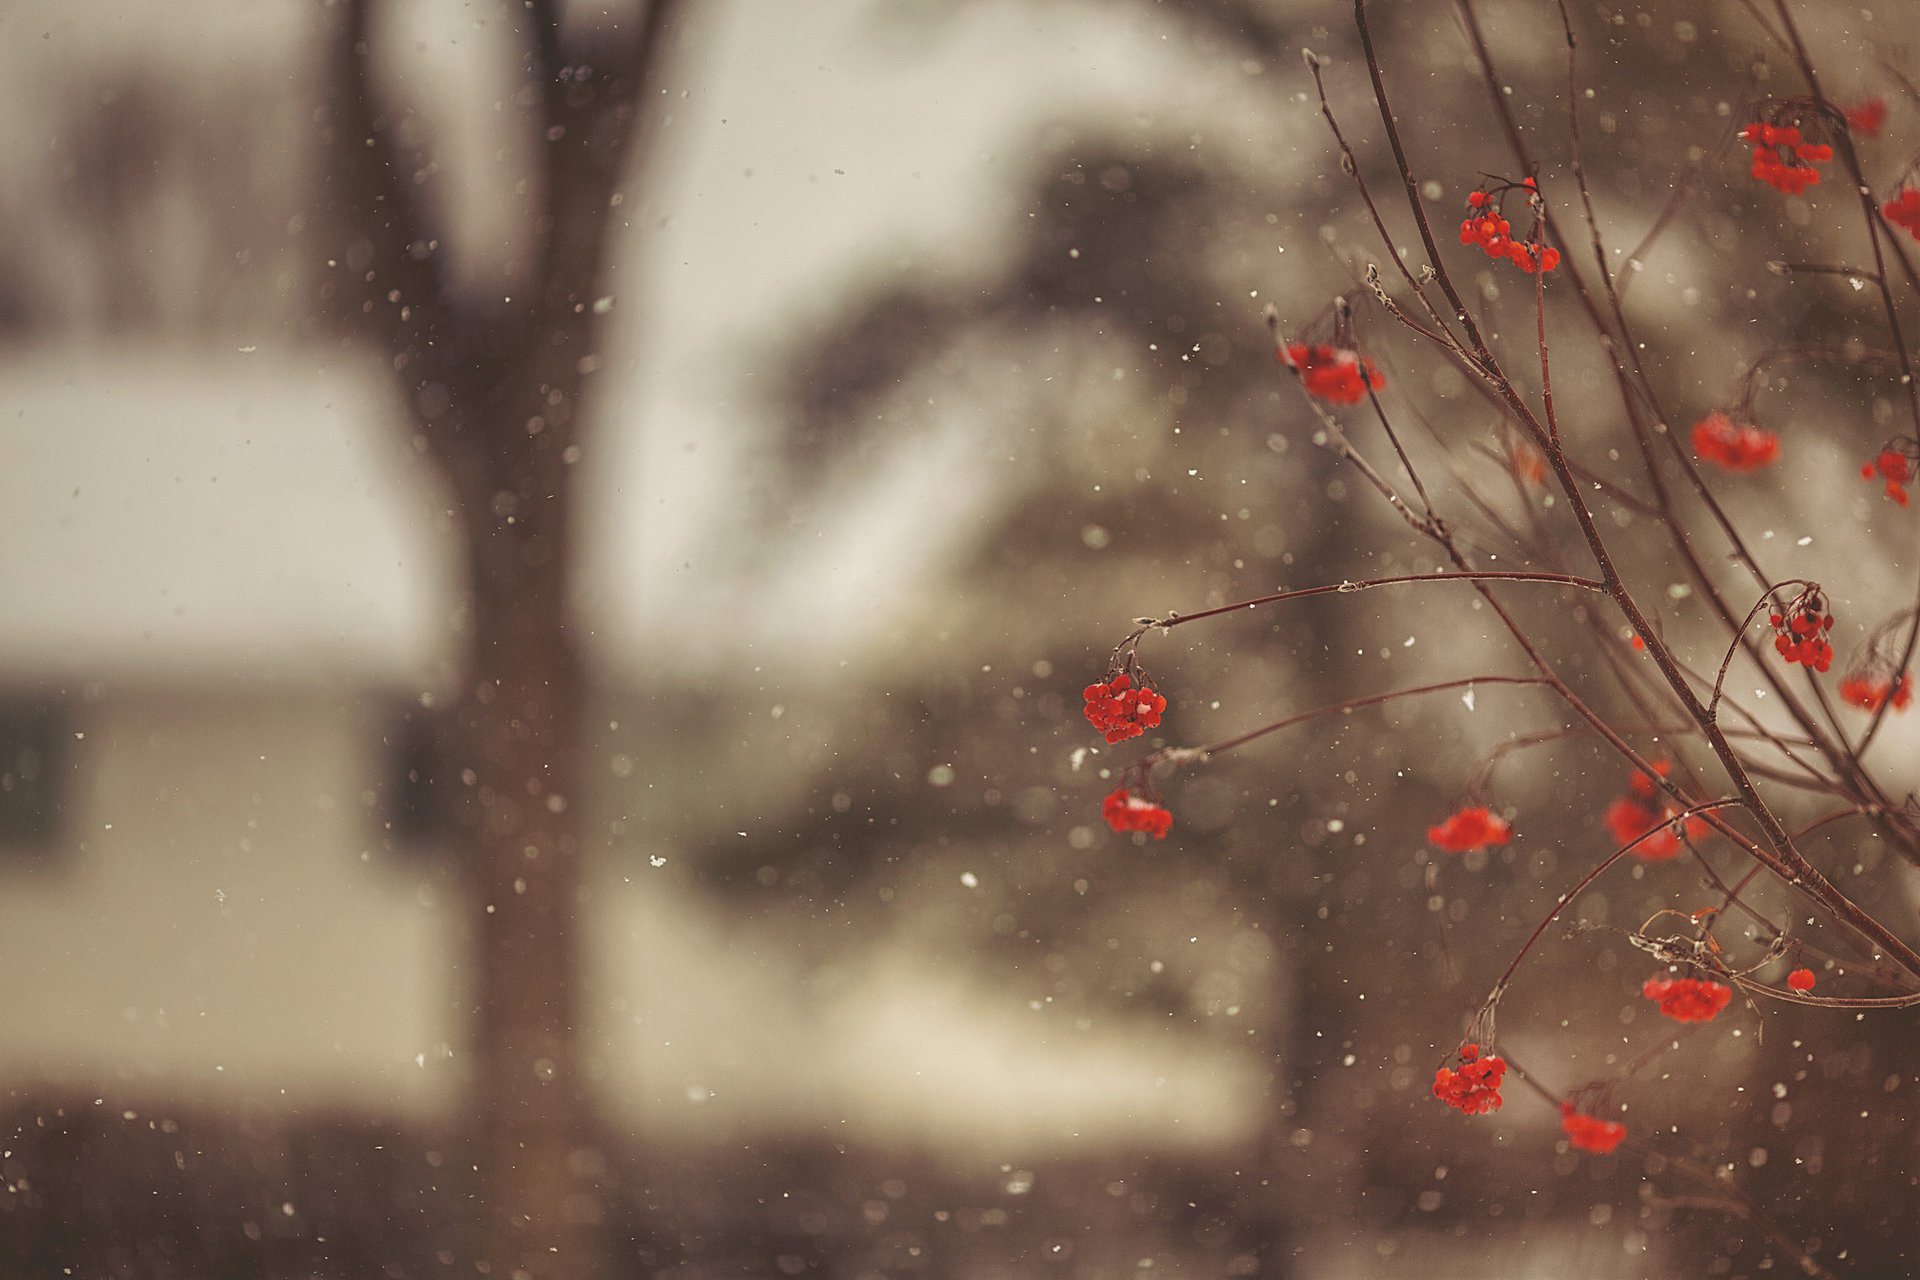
<point>494,392</point>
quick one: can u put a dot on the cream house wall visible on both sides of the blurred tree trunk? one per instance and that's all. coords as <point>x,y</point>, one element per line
<point>222,926</point>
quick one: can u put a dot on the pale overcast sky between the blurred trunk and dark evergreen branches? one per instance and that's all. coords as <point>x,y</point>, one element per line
<point>817,149</point>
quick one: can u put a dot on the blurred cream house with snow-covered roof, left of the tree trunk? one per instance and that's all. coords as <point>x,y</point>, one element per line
<point>226,588</point>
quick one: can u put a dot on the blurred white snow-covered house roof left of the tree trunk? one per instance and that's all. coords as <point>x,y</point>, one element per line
<point>183,517</point>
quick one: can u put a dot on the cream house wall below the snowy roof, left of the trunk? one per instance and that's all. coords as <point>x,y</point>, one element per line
<point>220,922</point>
